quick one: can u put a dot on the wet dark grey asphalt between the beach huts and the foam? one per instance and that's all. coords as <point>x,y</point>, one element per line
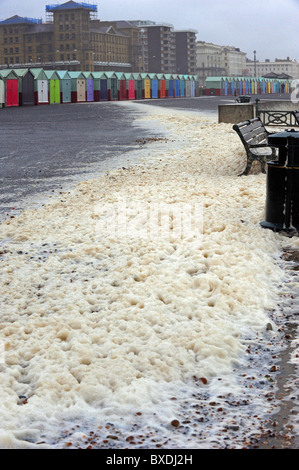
<point>45,148</point>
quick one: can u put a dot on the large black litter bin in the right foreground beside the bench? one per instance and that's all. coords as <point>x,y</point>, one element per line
<point>282,200</point>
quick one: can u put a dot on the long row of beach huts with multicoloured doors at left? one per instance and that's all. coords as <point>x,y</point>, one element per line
<point>25,87</point>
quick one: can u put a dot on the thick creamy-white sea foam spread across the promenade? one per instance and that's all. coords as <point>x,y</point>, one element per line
<point>120,330</point>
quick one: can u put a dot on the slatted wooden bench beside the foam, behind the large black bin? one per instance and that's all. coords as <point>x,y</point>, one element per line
<point>254,137</point>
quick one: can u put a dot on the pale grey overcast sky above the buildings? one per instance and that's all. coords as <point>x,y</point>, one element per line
<point>268,26</point>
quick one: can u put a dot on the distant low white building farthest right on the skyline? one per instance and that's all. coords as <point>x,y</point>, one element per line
<point>286,66</point>
